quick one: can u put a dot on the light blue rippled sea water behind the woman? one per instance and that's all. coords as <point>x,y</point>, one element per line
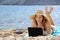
<point>12,17</point>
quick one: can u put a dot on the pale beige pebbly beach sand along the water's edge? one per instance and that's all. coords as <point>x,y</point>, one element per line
<point>11,35</point>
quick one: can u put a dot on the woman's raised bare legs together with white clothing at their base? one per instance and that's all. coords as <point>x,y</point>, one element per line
<point>50,18</point>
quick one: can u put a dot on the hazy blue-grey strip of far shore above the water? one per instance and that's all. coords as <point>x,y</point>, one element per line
<point>29,2</point>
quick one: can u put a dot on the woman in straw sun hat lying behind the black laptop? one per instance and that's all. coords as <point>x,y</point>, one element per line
<point>39,20</point>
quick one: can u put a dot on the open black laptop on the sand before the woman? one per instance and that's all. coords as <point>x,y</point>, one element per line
<point>35,31</point>
